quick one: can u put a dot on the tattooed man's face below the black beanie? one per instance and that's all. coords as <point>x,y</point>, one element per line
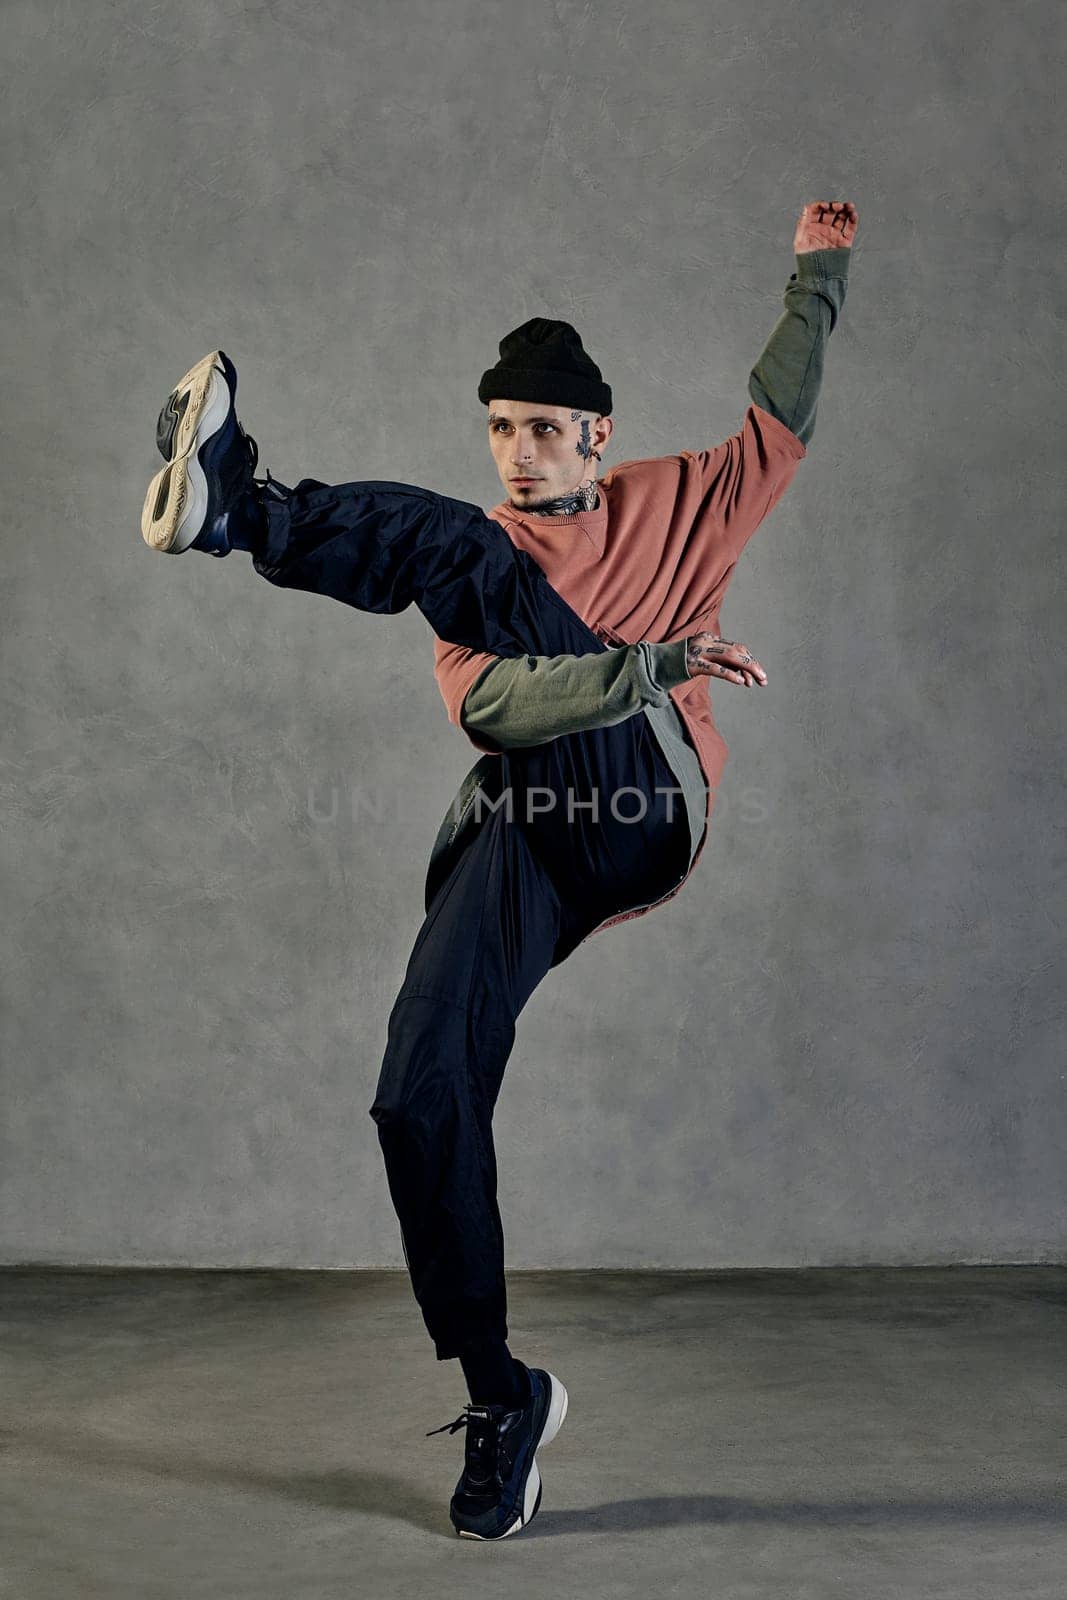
<point>548,446</point>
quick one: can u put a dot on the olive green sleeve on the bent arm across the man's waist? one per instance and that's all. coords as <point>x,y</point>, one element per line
<point>530,700</point>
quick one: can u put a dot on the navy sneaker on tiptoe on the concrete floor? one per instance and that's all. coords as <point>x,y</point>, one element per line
<point>500,1489</point>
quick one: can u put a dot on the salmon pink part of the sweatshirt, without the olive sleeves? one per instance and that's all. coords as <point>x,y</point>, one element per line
<point>652,562</point>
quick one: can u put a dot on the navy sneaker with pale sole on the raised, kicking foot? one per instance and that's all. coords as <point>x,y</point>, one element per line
<point>204,498</point>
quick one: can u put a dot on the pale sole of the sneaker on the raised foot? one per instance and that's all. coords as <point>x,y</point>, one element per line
<point>177,503</point>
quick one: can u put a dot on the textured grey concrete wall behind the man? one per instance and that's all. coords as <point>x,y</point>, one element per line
<point>844,1041</point>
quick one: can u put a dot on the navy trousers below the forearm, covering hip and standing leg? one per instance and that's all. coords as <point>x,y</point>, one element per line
<point>516,903</point>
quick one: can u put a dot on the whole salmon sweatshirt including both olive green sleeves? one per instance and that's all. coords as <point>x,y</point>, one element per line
<point>650,566</point>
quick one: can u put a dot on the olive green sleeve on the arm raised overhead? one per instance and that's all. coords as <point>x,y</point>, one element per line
<point>788,377</point>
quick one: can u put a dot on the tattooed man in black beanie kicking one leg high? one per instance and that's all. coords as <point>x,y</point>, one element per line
<point>573,626</point>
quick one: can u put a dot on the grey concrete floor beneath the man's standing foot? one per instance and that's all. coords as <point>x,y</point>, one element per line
<point>863,1434</point>
